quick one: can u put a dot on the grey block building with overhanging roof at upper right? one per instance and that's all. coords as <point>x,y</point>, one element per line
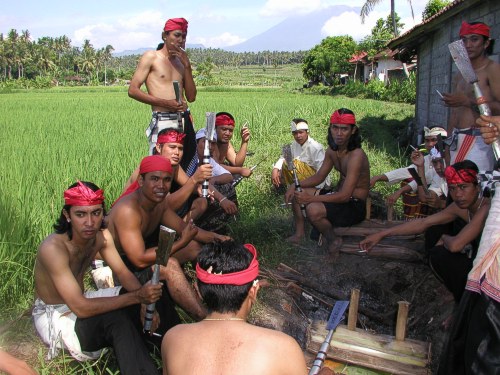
<point>429,40</point>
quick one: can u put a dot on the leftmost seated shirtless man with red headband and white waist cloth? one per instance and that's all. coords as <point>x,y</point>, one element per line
<point>85,322</point>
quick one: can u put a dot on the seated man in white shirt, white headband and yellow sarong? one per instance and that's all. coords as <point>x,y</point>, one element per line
<point>308,156</point>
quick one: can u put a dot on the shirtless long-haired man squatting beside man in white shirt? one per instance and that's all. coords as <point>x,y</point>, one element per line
<point>346,206</point>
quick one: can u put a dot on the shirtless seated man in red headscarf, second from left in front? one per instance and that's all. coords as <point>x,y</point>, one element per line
<point>134,223</point>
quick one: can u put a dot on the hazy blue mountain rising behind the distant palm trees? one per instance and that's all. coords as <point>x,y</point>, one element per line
<point>296,33</point>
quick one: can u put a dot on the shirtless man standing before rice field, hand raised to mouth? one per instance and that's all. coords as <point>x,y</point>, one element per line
<point>158,70</point>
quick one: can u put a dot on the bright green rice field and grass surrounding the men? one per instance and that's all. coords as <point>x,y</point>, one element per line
<point>51,138</point>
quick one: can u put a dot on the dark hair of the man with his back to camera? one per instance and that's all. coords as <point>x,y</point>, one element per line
<point>225,257</point>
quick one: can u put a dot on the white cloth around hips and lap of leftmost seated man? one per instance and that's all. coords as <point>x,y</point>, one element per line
<point>56,326</point>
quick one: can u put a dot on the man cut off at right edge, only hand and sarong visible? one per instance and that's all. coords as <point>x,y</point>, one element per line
<point>474,341</point>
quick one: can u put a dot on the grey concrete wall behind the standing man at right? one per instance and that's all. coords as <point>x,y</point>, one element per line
<point>436,68</point>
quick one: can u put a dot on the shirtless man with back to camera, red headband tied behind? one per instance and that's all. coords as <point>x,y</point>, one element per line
<point>227,282</point>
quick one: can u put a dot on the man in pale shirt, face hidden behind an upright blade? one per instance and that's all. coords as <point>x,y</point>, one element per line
<point>223,202</point>
